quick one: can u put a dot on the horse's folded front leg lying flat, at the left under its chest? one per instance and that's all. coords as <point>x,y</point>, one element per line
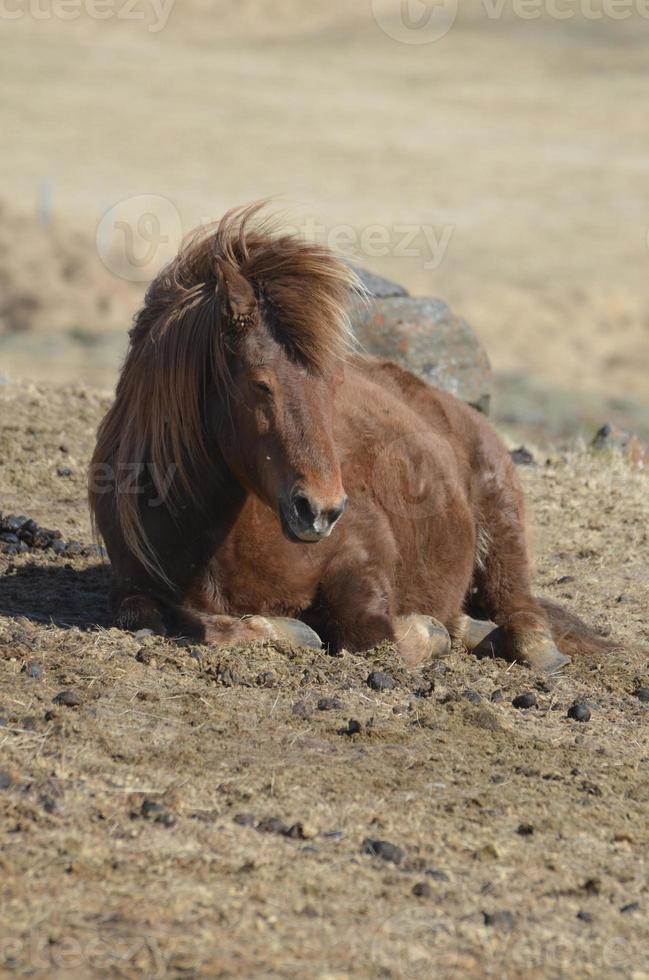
<point>141,611</point>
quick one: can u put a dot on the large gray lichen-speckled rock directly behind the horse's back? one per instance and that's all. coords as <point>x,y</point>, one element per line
<point>426,337</point>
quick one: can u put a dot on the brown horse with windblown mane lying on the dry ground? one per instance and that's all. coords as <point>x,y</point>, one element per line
<point>256,480</point>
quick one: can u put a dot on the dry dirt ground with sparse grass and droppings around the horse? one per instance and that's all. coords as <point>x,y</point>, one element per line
<point>130,839</point>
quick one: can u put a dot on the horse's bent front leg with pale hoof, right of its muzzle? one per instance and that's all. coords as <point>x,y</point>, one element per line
<point>353,611</point>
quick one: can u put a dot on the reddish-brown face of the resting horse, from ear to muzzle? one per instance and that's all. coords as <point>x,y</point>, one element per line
<point>279,442</point>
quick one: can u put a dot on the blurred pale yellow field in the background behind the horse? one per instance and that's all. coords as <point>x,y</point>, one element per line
<point>522,146</point>
